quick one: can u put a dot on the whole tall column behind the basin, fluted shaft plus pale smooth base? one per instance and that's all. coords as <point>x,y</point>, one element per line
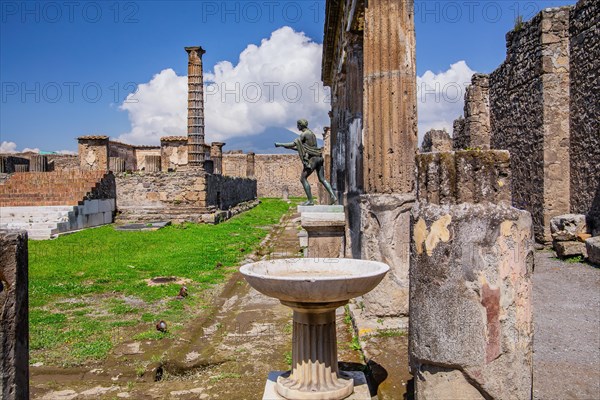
<point>390,144</point>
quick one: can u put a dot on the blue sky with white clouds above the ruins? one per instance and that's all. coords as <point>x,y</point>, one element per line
<point>66,68</point>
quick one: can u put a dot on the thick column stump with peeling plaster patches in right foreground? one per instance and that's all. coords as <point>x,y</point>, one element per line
<point>470,301</point>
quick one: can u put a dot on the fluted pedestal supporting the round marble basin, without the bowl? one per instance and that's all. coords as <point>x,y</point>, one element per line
<point>315,374</point>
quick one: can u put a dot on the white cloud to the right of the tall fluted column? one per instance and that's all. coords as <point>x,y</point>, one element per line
<point>440,97</point>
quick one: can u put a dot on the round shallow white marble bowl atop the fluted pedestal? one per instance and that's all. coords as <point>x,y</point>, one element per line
<point>314,280</point>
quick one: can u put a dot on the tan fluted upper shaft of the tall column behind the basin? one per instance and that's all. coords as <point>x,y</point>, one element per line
<point>390,101</point>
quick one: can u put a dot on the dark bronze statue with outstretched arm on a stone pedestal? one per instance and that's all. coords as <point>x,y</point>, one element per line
<point>312,160</point>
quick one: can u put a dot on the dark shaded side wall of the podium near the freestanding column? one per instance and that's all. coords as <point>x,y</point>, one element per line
<point>225,192</point>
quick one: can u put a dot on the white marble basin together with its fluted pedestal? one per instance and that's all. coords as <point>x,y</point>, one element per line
<point>314,289</point>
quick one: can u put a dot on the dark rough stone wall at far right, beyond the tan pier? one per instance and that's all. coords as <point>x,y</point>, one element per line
<point>585,109</point>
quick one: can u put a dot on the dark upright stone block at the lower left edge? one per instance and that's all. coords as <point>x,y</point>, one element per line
<point>14,316</point>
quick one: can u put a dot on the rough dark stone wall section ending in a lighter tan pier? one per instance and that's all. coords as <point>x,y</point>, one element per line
<point>529,104</point>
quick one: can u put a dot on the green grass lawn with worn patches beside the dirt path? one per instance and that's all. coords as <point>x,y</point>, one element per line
<point>88,291</point>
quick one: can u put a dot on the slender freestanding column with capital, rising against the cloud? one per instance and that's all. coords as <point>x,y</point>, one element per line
<point>195,108</point>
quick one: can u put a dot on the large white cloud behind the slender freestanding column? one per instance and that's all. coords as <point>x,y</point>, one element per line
<point>272,85</point>
